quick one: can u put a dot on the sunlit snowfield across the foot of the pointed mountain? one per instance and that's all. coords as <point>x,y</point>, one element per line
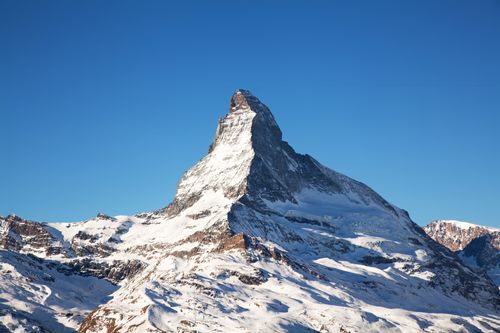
<point>286,300</point>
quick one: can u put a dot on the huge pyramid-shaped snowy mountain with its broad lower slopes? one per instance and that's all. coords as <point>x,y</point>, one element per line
<point>258,238</point>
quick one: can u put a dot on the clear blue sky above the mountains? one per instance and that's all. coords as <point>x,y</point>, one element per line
<point>104,104</point>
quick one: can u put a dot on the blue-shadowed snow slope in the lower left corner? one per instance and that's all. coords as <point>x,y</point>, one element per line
<point>45,296</point>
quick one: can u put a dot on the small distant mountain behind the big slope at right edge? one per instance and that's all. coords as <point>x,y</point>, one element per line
<point>477,246</point>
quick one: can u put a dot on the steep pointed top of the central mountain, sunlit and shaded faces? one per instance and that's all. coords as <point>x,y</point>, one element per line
<point>248,160</point>
